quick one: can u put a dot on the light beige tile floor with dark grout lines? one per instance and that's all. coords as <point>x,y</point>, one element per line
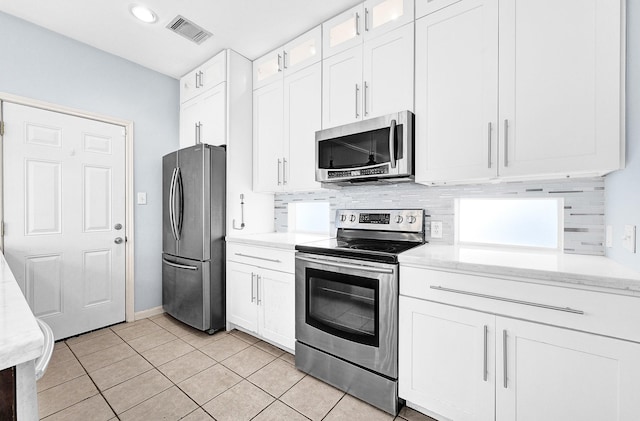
<point>161,369</point>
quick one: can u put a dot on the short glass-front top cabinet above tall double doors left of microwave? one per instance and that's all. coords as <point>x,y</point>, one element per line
<point>295,55</point>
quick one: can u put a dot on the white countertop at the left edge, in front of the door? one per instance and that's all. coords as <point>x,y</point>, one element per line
<point>20,337</point>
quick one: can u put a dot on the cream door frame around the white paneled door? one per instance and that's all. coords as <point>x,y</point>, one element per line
<point>129,195</point>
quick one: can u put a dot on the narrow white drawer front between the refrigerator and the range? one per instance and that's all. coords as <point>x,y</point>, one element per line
<point>268,258</point>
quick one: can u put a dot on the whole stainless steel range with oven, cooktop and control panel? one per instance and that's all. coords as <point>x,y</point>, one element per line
<point>347,302</point>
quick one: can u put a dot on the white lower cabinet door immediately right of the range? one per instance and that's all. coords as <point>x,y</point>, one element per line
<point>442,360</point>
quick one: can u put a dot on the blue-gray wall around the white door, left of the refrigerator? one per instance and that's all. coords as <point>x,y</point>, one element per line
<point>39,64</point>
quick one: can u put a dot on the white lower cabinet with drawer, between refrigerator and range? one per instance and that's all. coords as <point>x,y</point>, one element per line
<point>261,300</point>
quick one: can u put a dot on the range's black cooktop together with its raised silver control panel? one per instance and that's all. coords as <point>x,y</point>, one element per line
<point>375,235</point>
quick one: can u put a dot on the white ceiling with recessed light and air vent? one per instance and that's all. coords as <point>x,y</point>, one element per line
<point>250,27</point>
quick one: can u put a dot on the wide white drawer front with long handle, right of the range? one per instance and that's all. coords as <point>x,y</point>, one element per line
<point>589,311</point>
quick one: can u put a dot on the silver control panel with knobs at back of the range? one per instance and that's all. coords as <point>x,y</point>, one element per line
<point>410,220</point>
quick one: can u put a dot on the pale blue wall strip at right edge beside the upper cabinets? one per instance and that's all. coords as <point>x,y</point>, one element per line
<point>622,188</point>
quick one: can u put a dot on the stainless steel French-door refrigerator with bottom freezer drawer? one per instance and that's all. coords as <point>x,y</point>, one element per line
<point>193,219</point>
